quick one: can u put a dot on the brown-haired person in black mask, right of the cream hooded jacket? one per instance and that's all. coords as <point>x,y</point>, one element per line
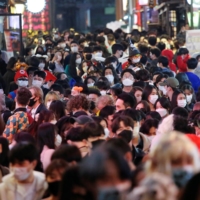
<point>54,174</point>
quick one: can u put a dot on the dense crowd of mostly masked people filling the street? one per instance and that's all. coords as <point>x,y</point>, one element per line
<point>101,116</point>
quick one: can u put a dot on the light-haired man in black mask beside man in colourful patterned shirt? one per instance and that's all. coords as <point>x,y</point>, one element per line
<point>35,105</point>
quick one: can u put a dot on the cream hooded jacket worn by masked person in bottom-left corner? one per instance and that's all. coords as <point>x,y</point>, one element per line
<point>9,188</point>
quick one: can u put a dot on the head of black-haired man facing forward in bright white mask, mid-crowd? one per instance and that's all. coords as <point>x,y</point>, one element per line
<point>127,79</point>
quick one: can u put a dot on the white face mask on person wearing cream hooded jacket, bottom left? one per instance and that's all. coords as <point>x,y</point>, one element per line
<point>20,173</point>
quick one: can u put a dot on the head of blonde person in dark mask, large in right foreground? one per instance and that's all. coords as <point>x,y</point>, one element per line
<point>174,155</point>
